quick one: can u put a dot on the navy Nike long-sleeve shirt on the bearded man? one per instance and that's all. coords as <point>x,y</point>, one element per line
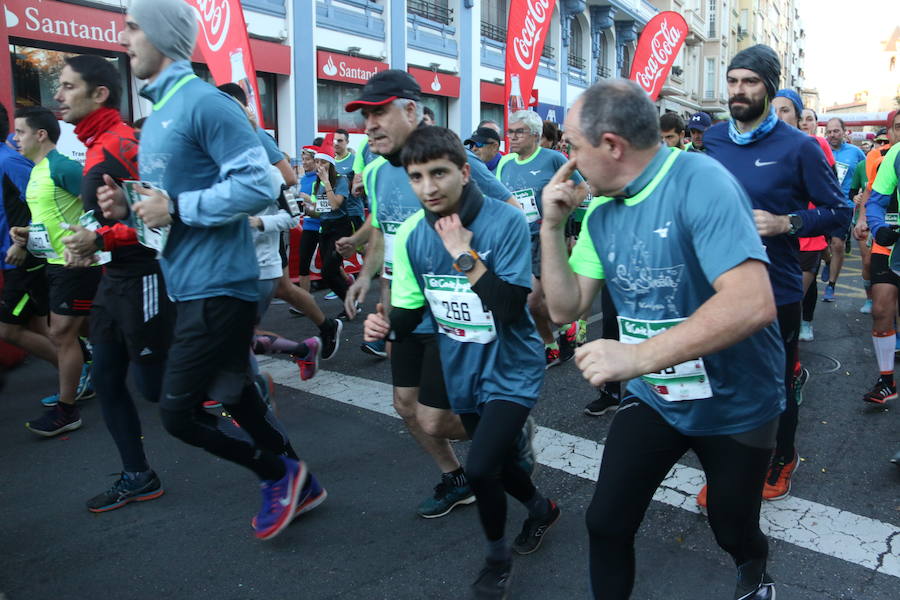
<point>782,173</point>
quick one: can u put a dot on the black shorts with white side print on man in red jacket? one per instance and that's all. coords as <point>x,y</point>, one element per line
<point>135,312</point>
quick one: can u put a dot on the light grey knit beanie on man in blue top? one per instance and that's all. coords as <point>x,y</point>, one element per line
<point>171,25</point>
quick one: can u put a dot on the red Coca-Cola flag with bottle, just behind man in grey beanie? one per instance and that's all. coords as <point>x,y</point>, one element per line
<point>225,44</point>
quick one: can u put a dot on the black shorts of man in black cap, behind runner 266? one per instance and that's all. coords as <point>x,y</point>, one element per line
<point>416,362</point>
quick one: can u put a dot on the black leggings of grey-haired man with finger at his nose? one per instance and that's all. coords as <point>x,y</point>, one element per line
<point>640,449</point>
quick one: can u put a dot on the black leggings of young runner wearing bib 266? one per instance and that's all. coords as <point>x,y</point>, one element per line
<point>491,467</point>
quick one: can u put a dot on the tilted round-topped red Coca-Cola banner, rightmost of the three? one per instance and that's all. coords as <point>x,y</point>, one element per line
<point>659,44</point>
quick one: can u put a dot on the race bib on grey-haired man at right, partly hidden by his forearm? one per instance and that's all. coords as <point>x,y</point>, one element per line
<point>685,381</point>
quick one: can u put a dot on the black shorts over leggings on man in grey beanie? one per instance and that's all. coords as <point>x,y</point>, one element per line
<point>210,353</point>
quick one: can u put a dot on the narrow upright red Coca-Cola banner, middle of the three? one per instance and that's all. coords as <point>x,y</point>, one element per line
<point>527,28</point>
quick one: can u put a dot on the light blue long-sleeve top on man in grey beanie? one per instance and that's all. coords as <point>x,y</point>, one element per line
<point>199,147</point>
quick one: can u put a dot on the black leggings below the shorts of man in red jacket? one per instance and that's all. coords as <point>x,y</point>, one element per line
<point>111,362</point>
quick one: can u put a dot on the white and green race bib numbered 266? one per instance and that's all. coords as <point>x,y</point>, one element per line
<point>458,310</point>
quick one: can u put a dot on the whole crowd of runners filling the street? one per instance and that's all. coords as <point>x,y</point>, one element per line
<point>160,256</point>
